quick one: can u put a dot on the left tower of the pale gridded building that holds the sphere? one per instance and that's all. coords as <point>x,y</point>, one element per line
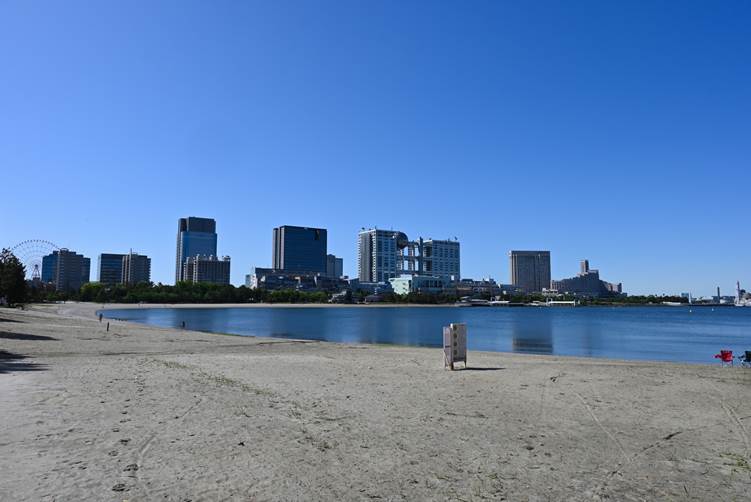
<point>378,254</point>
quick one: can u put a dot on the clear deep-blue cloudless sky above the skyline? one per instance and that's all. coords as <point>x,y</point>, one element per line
<point>614,131</point>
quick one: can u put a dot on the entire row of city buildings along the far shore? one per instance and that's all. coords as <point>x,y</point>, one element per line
<point>387,261</point>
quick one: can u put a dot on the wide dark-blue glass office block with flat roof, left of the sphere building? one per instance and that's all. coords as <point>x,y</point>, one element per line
<point>299,249</point>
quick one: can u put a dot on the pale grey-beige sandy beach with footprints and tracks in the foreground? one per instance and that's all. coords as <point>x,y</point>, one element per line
<point>141,413</point>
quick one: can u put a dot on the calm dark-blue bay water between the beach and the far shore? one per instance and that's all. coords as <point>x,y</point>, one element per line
<point>654,333</point>
